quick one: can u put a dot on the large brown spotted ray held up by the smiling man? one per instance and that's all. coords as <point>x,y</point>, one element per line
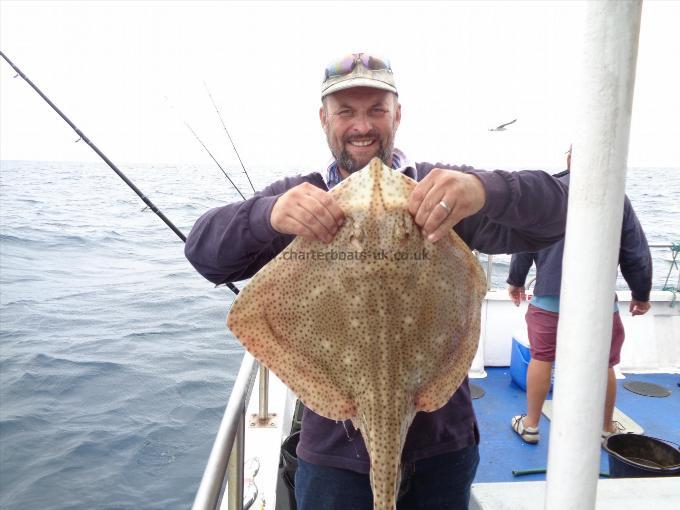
<point>359,334</point>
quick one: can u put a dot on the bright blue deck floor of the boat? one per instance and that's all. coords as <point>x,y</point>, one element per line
<point>502,451</point>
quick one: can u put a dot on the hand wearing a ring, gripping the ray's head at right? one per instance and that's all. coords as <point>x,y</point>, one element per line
<point>463,194</point>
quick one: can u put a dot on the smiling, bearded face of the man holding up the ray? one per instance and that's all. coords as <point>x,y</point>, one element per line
<point>360,124</point>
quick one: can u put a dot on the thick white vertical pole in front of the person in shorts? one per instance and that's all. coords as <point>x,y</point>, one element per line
<point>597,186</point>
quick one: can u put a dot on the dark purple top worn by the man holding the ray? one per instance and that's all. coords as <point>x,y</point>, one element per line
<point>524,211</point>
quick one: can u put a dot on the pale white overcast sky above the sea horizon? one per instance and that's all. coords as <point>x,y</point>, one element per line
<point>130,74</point>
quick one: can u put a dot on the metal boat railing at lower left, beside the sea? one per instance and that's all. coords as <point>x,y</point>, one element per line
<point>225,465</point>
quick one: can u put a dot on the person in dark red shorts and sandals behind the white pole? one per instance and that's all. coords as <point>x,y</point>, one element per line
<point>542,315</point>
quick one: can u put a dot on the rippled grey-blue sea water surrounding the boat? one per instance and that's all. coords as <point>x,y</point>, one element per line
<point>115,362</point>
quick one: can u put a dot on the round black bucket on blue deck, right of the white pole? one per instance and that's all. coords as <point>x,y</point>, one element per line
<point>637,456</point>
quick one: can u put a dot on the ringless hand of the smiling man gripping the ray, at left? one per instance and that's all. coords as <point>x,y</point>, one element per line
<point>308,212</point>
